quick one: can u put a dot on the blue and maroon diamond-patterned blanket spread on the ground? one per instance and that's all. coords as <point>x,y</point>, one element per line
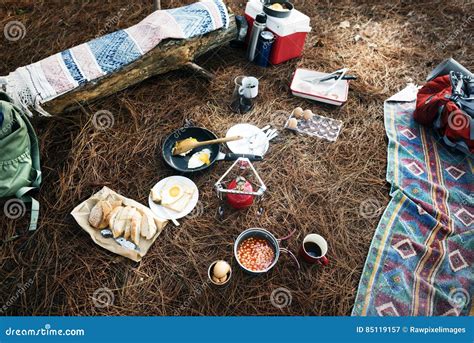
<point>421,258</point>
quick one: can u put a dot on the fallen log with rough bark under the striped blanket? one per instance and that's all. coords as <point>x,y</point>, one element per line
<point>171,54</point>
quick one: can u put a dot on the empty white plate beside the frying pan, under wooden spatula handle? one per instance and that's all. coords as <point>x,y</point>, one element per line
<point>250,133</point>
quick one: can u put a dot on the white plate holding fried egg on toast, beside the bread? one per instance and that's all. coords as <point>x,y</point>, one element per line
<point>166,213</point>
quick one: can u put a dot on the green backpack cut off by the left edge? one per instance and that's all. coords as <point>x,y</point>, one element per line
<point>19,161</point>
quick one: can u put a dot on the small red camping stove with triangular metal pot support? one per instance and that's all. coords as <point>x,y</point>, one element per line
<point>236,189</point>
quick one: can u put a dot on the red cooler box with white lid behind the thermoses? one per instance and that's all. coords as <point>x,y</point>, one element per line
<point>290,33</point>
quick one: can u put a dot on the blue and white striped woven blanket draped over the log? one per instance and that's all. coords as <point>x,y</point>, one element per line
<point>34,84</point>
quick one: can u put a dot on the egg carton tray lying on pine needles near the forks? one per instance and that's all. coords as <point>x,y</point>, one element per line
<point>319,126</point>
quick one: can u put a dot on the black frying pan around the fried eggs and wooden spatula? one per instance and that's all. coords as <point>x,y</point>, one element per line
<point>180,163</point>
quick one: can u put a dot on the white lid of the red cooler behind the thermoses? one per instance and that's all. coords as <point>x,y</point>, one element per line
<point>296,22</point>
